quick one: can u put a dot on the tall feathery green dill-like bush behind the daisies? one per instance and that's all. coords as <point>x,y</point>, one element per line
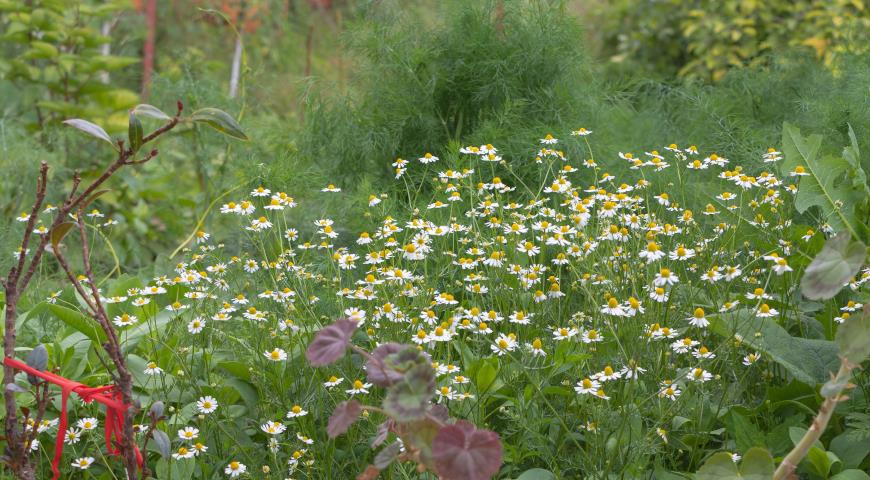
<point>474,73</point>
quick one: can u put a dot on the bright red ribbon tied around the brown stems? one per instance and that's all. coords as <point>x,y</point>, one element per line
<point>107,395</point>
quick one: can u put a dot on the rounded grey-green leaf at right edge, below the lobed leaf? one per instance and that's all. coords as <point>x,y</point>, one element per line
<point>833,267</point>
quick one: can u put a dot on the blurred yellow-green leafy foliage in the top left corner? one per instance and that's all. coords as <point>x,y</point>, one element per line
<point>52,49</point>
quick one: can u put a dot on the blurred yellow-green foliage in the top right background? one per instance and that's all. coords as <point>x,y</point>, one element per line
<point>704,38</point>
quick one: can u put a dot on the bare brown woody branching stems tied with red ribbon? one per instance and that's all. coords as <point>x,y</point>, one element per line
<point>16,456</point>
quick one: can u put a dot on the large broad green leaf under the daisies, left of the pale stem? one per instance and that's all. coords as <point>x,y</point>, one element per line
<point>808,360</point>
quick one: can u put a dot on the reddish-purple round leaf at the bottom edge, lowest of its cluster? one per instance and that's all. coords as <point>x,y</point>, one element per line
<point>462,452</point>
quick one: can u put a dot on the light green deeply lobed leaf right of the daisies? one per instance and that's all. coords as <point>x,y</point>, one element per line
<point>824,186</point>
